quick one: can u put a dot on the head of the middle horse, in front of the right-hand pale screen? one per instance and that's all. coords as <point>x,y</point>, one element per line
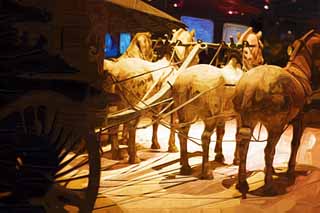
<point>252,54</point>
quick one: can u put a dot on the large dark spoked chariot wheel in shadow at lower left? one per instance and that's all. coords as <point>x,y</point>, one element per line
<point>49,158</point>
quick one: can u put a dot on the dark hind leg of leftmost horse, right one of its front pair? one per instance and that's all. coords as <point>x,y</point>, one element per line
<point>132,151</point>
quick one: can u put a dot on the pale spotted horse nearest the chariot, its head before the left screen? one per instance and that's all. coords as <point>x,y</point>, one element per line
<point>151,76</point>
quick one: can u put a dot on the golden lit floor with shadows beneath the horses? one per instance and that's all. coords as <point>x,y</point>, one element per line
<point>155,185</point>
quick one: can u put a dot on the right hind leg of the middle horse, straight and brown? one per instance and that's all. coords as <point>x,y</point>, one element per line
<point>205,139</point>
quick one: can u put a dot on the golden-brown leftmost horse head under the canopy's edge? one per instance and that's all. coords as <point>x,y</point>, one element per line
<point>140,47</point>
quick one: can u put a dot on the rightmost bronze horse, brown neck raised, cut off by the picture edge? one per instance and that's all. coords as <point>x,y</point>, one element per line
<point>276,97</point>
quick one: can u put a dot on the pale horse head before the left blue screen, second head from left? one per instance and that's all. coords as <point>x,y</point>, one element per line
<point>181,52</point>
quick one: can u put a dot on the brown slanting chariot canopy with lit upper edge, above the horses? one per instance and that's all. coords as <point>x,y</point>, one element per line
<point>134,16</point>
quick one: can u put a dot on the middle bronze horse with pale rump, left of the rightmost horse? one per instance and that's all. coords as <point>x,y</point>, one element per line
<point>214,106</point>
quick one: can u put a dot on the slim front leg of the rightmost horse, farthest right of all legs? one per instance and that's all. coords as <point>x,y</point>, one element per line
<point>295,143</point>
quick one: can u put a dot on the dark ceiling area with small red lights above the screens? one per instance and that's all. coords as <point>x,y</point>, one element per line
<point>282,23</point>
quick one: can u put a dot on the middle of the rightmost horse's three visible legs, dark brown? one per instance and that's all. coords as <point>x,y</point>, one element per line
<point>269,152</point>
